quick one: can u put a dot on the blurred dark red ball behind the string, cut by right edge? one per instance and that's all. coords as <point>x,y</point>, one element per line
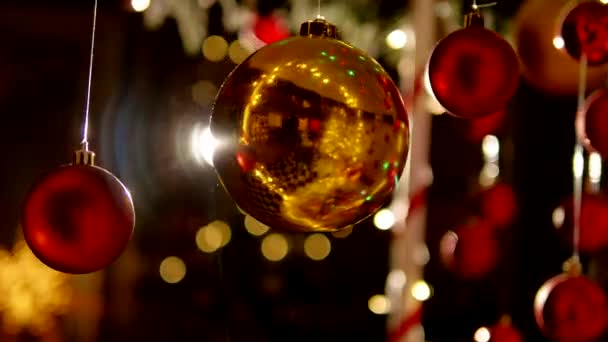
<point>593,223</point>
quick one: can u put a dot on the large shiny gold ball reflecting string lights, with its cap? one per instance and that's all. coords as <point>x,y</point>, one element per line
<point>313,134</point>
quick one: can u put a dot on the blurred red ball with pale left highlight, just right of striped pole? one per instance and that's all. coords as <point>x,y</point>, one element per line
<point>471,251</point>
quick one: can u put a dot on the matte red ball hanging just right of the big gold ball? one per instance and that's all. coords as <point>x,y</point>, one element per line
<point>473,72</point>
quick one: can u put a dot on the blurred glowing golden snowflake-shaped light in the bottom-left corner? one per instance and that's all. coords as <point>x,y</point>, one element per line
<point>31,294</point>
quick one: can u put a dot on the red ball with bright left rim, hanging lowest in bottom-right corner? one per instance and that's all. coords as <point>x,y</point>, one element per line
<point>571,309</point>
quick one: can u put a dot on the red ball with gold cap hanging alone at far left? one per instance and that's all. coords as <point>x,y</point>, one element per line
<point>78,218</point>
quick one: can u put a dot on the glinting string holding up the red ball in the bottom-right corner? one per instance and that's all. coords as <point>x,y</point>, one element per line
<point>578,163</point>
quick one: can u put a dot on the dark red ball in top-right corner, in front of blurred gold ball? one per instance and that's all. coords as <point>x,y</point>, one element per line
<point>584,31</point>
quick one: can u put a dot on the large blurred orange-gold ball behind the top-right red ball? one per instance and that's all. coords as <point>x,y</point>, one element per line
<point>542,64</point>
